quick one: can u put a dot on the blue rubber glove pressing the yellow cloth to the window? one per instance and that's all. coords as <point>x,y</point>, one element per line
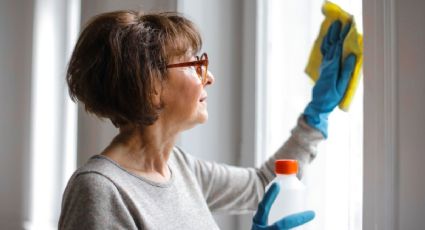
<point>333,80</point>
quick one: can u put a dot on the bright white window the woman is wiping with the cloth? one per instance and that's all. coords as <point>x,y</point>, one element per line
<point>334,179</point>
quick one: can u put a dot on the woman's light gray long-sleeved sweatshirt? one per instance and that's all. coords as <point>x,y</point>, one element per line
<point>103,195</point>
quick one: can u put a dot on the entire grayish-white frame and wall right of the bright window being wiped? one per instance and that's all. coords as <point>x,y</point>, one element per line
<point>394,70</point>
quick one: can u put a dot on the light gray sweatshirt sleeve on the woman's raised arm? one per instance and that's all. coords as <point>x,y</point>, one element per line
<point>237,190</point>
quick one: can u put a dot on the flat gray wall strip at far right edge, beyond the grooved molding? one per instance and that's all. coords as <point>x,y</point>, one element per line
<point>411,112</point>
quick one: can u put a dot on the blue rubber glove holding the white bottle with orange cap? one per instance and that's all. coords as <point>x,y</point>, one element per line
<point>288,222</point>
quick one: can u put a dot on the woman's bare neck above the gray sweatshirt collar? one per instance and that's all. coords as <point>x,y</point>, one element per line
<point>143,152</point>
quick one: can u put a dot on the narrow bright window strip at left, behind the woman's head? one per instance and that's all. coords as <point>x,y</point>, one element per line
<point>54,115</point>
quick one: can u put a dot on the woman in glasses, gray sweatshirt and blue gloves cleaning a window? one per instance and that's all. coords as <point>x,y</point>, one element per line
<point>141,72</point>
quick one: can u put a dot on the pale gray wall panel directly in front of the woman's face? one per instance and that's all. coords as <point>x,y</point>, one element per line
<point>220,25</point>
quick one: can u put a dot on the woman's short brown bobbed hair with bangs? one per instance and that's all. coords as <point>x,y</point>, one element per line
<point>117,57</point>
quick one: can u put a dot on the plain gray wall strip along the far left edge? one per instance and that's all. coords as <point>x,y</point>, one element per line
<point>15,75</point>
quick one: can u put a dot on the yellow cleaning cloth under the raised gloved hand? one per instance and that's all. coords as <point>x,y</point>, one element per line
<point>353,43</point>
